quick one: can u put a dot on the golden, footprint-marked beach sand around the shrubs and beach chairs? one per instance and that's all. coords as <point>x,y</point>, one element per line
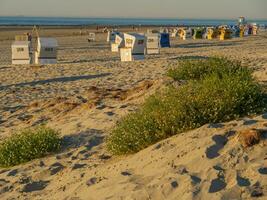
<point>89,90</point>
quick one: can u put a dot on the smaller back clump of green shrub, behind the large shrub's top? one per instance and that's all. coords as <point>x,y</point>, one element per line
<point>198,69</point>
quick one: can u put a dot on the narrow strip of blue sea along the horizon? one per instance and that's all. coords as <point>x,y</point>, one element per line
<point>63,21</point>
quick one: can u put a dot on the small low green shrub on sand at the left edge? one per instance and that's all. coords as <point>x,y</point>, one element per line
<point>27,145</point>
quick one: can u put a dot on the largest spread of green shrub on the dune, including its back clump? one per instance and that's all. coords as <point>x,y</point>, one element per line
<point>217,96</point>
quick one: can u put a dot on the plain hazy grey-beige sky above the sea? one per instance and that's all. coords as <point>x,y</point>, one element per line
<point>254,9</point>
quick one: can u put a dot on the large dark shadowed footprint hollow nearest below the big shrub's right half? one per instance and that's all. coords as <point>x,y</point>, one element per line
<point>213,151</point>
